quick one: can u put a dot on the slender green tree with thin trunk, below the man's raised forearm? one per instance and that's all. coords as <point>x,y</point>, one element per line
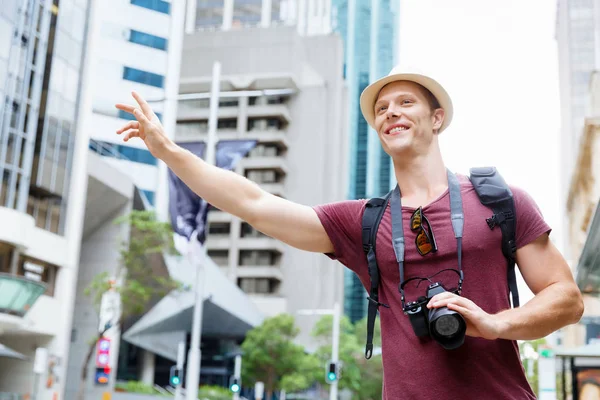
<point>138,286</point>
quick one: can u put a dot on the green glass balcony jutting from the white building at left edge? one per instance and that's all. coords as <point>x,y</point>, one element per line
<point>17,296</point>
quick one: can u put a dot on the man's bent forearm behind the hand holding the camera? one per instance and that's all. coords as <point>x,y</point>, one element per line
<point>554,307</point>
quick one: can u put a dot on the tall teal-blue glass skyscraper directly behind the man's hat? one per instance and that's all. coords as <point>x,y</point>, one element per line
<point>369,29</point>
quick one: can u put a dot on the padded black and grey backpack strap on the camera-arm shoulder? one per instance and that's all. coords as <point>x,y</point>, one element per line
<point>494,193</point>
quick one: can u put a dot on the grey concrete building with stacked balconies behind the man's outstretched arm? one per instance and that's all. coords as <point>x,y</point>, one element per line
<point>286,92</point>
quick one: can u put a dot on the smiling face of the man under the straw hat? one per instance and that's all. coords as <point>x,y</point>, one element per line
<point>404,119</point>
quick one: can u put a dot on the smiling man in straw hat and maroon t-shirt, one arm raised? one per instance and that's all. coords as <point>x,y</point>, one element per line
<point>408,112</point>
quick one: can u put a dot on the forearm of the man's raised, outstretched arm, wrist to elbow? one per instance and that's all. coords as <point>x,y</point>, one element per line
<point>224,189</point>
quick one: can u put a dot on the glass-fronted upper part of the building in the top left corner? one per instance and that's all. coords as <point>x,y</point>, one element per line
<point>40,65</point>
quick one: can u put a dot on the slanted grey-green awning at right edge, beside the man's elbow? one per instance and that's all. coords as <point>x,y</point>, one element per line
<point>588,268</point>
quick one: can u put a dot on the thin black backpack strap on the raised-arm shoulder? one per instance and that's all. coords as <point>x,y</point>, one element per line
<point>374,210</point>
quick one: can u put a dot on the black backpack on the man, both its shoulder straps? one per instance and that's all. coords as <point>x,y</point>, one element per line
<point>493,192</point>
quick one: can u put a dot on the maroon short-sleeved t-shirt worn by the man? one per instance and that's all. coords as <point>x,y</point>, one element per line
<point>419,368</point>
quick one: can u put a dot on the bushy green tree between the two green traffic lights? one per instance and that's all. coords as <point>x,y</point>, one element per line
<point>271,356</point>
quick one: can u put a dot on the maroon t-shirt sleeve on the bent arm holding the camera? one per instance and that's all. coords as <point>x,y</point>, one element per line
<point>530,221</point>
